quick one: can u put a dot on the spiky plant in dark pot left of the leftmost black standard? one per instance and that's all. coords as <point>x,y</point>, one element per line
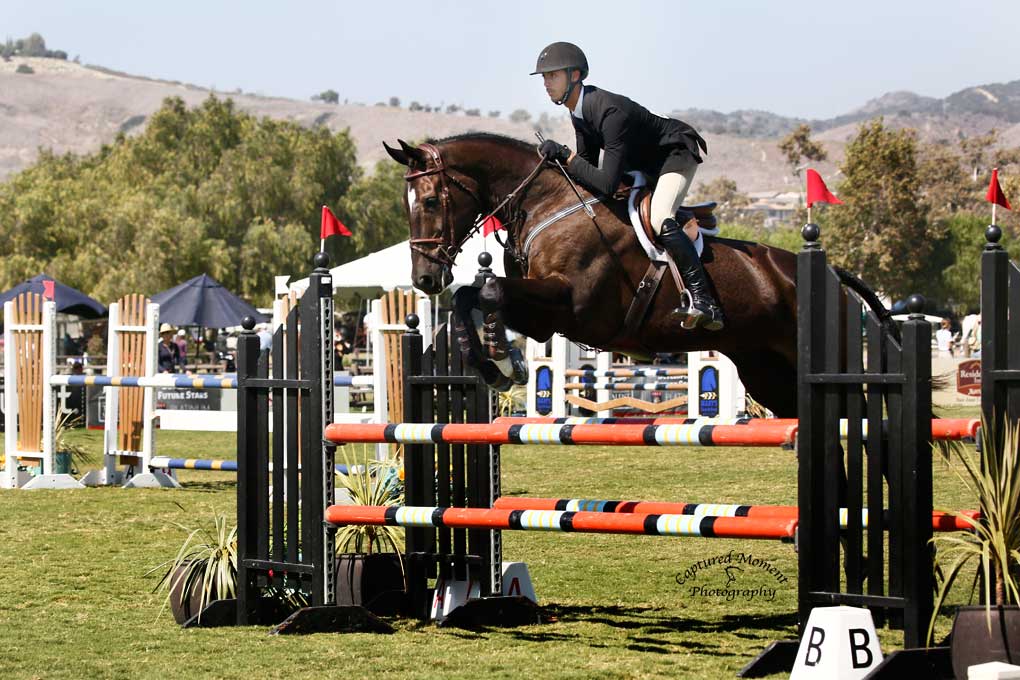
<point>206,569</point>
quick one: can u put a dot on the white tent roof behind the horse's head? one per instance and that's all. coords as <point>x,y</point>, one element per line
<point>391,269</point>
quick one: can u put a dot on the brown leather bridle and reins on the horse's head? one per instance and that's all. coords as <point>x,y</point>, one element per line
<point>444,249</point>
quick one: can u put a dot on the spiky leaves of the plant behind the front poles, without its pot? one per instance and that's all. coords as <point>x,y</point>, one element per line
<point>371,483</point>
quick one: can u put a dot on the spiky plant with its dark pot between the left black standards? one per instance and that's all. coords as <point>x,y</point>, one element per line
<point>370,569</point>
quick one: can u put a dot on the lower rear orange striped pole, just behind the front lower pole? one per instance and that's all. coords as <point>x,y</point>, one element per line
<point>941,521</point>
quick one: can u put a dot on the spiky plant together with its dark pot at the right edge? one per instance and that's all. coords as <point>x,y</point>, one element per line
<point>991,632</point>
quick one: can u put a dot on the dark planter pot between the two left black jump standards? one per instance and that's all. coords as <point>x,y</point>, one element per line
<point>374,582</point>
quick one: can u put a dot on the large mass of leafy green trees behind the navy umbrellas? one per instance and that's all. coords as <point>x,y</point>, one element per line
<point>206,190</point>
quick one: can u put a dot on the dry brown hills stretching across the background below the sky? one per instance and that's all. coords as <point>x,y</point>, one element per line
<point>73,109</point>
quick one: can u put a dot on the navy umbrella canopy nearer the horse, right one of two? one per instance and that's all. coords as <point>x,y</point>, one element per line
<point>203,302</point>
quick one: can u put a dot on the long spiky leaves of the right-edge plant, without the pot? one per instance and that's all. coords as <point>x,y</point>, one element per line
<point>994,539</point>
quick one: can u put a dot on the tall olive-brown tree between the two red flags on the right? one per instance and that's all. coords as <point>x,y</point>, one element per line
<point>882,233</point>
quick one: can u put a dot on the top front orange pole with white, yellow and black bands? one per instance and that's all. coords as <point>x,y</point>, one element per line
<point>611,436</point>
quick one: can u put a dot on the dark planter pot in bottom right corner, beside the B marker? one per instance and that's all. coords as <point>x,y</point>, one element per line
<point>973,644</point>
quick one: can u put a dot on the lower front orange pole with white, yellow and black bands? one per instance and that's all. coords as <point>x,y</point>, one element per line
<point>568,521</point>
